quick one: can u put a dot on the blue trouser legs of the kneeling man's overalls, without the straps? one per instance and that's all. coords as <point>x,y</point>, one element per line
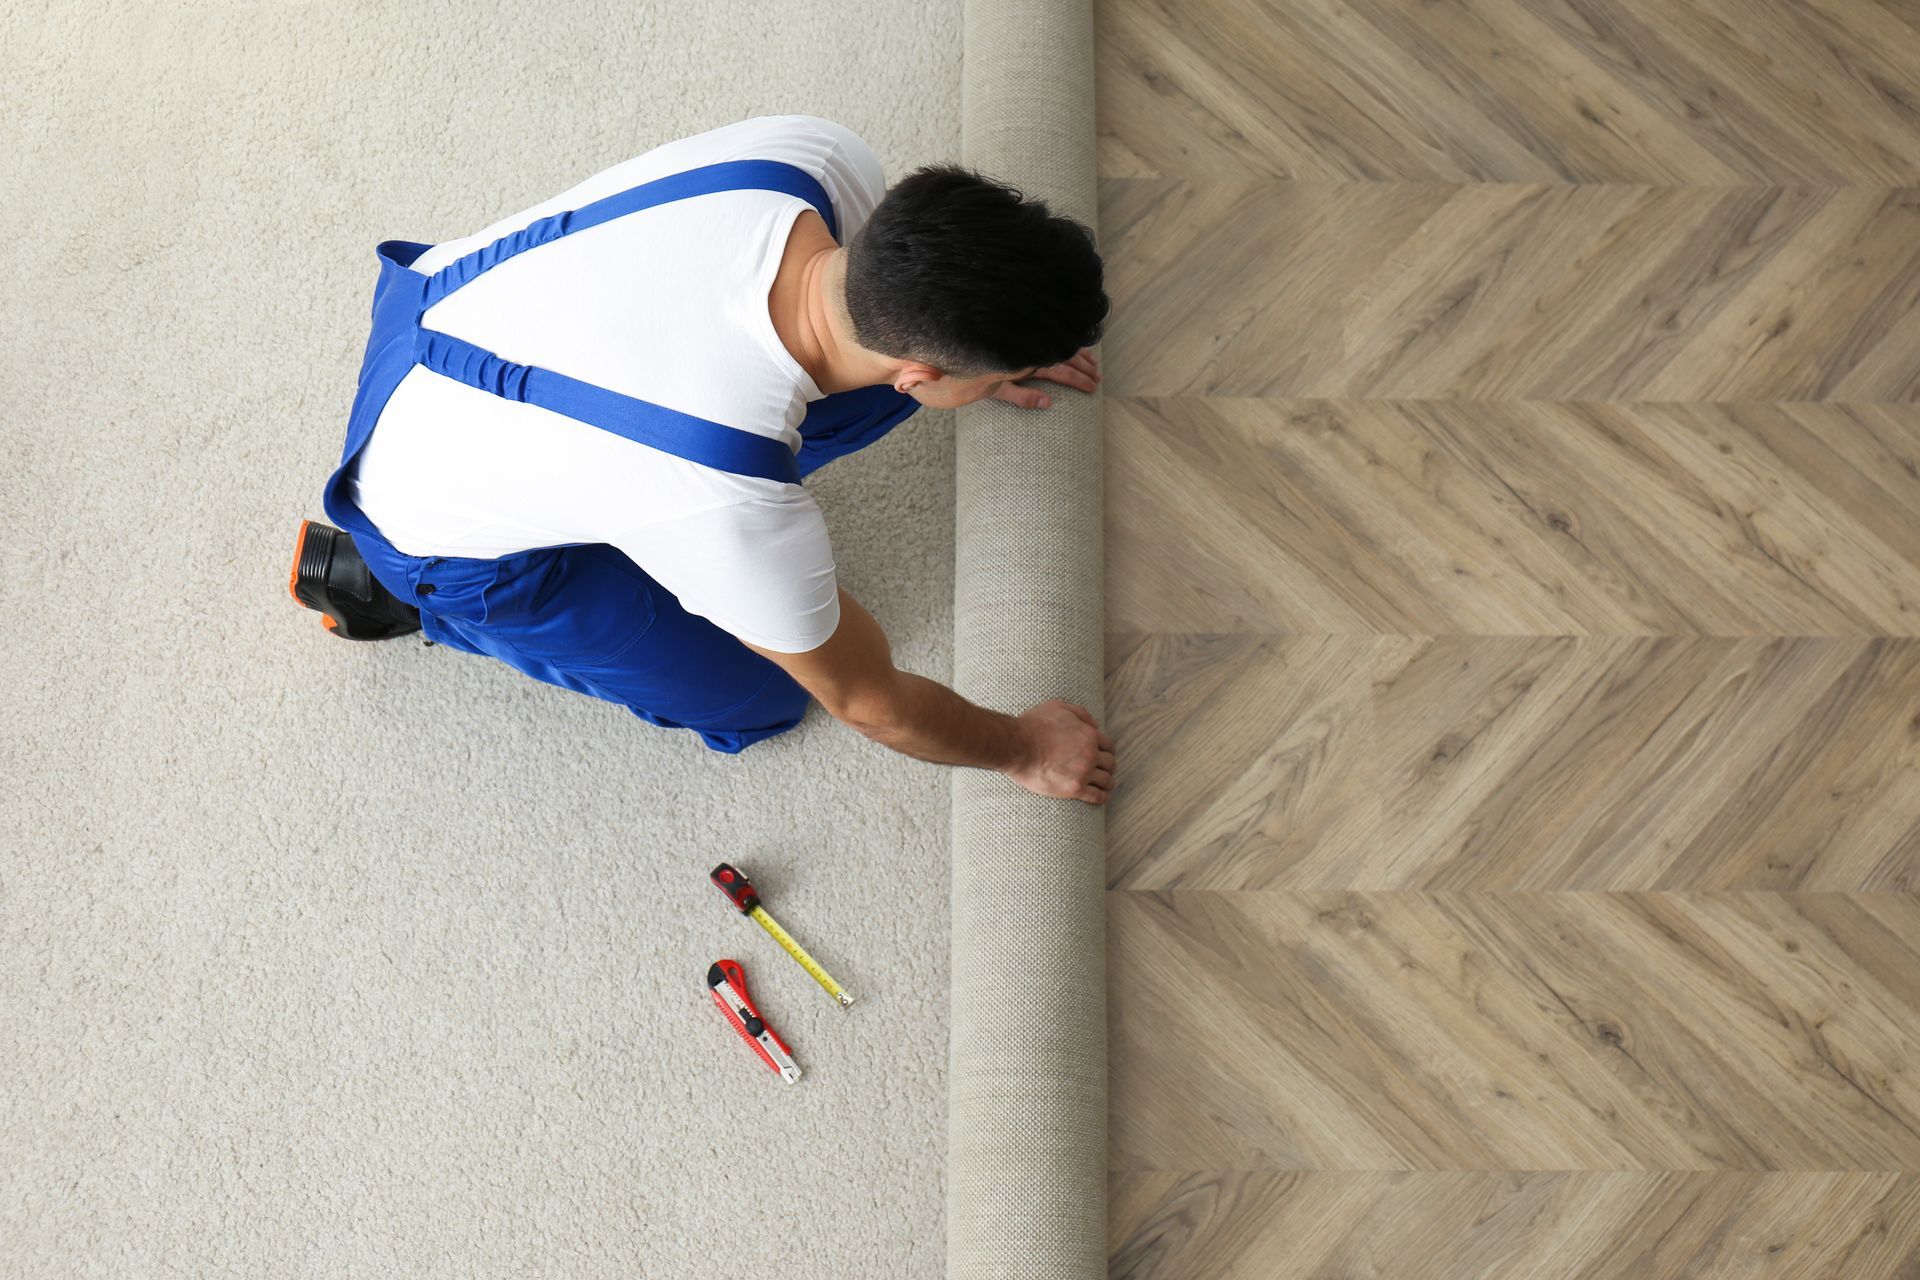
<point>590,621</point>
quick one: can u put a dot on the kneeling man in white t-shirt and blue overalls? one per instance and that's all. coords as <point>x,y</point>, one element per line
<point>581,435</point>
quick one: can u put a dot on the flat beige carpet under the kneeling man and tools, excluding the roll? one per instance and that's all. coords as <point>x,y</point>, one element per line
<point>331,960</point>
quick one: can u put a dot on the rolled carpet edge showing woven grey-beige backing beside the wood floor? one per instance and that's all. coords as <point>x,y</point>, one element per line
<point>1026,1168</point>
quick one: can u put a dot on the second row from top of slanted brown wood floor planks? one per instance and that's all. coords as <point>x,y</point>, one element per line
<point>1512,293</point>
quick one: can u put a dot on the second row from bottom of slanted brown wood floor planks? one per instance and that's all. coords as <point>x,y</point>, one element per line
<point>1514,1031</point>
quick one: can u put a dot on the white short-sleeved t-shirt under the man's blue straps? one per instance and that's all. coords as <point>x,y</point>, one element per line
<point>669,306</point>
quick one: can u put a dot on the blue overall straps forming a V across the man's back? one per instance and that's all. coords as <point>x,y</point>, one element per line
<point>683,435</point>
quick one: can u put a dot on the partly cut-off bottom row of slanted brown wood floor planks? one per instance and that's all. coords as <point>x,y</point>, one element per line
<point>1514,1227</point>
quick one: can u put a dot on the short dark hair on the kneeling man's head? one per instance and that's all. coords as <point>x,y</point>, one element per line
<point>972,277</point>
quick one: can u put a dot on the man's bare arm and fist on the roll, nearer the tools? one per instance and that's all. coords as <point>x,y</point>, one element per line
<point>1055,749</point>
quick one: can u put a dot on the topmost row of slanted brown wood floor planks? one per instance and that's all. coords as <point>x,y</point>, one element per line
<point>1708,93</point>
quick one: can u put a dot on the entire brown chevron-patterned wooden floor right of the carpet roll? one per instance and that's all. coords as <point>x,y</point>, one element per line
<point>1514,602</point>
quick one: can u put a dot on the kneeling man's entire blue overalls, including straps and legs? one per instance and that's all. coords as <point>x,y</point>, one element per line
<point>583,615</point>
